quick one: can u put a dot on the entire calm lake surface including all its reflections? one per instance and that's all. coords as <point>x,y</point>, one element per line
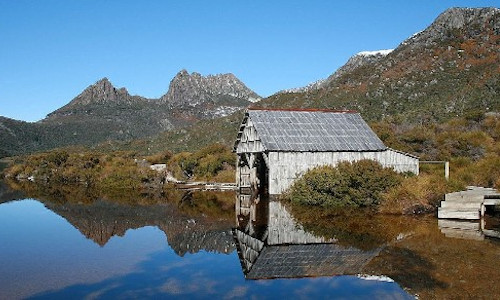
<point>197,245</point>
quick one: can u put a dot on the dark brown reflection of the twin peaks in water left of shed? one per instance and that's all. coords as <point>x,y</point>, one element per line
<point>102,220</point>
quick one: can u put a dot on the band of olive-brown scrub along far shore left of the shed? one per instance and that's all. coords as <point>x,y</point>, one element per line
<point>119,172</point>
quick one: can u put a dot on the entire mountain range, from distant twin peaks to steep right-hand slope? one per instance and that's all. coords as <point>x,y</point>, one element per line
<point>452,68</point>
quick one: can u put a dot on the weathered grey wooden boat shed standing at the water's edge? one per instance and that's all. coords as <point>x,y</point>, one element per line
<point>275,147</point>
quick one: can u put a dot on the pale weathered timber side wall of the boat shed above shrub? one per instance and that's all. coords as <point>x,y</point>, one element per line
<point>285,167</point>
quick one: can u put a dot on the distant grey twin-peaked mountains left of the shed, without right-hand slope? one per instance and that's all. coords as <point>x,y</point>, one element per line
<point>103,112</point>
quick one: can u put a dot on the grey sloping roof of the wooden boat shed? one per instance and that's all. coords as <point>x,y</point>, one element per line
<point>313,131</point>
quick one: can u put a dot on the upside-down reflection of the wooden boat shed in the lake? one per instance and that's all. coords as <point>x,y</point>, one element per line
<point>271,244</point>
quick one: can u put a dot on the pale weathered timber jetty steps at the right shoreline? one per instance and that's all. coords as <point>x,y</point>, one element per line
<point>469,205</point>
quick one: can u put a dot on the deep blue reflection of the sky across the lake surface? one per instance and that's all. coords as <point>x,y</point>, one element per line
<point>43,255</point>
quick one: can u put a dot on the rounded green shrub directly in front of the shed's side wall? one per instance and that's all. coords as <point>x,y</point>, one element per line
<point>357,184</point>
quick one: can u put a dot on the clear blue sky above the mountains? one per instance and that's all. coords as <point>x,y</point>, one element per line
<point>51,50</point>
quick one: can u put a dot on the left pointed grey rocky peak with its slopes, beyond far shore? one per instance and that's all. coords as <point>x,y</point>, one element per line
<point>100,113</point>
